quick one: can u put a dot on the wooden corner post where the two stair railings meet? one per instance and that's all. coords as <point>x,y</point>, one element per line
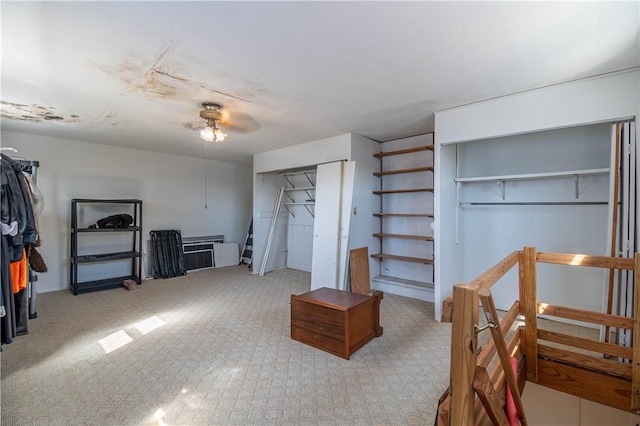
<point>530,313</point>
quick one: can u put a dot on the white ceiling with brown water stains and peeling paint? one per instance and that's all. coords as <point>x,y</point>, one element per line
<point>134,74</point>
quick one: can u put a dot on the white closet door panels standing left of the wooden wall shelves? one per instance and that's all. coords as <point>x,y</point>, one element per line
<point>333,205</point>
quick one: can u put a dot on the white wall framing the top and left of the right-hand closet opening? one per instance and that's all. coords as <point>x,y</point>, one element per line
<point>577,103</point>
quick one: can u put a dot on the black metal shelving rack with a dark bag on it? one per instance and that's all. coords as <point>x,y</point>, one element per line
<point>135,254</point>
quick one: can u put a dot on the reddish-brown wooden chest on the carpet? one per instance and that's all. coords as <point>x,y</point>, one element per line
<point>338,322</point>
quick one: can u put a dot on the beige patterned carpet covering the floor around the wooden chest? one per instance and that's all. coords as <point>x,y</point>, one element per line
<point>214,348</point>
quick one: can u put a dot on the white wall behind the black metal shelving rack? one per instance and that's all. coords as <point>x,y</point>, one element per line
<point>171,188</point>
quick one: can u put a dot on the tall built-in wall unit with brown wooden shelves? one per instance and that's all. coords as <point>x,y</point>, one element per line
<point>402,177</point>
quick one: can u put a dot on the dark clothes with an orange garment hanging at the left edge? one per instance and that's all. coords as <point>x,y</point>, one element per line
<point>19,234</point>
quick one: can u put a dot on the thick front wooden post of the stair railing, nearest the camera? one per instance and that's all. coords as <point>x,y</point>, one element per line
<point>463,354</point>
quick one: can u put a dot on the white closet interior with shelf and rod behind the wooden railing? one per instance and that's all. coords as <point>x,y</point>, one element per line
<point>546,189</point>
